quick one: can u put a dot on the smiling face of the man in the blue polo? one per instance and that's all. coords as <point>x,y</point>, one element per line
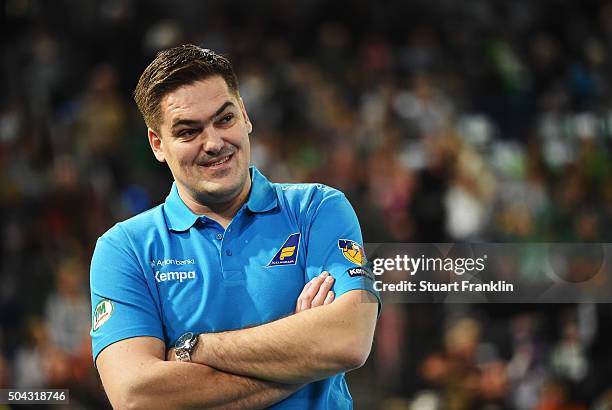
<point>204,138</point>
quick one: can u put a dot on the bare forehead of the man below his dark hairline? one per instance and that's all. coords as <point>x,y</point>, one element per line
<point>197,101</point>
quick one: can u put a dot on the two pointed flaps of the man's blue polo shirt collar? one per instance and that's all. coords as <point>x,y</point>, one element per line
<point>262,198</point>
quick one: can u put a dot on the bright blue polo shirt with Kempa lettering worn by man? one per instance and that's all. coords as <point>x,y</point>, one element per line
<point>168,271</point>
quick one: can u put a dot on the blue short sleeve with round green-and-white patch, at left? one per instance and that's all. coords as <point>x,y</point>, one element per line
<point>122,303</point>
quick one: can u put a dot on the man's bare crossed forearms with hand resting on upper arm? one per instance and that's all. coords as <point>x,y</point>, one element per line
<point>249,368</point>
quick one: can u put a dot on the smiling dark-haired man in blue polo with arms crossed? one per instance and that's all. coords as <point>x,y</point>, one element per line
<point>222,296</point>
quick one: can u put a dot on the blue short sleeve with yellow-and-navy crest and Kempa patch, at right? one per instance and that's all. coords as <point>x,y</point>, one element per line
<point>335,244</point>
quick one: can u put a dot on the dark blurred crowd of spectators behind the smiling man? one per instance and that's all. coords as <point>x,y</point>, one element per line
<point>442,121</point>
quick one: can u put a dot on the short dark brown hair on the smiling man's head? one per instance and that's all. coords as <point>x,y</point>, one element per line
<point>176,67</point>
